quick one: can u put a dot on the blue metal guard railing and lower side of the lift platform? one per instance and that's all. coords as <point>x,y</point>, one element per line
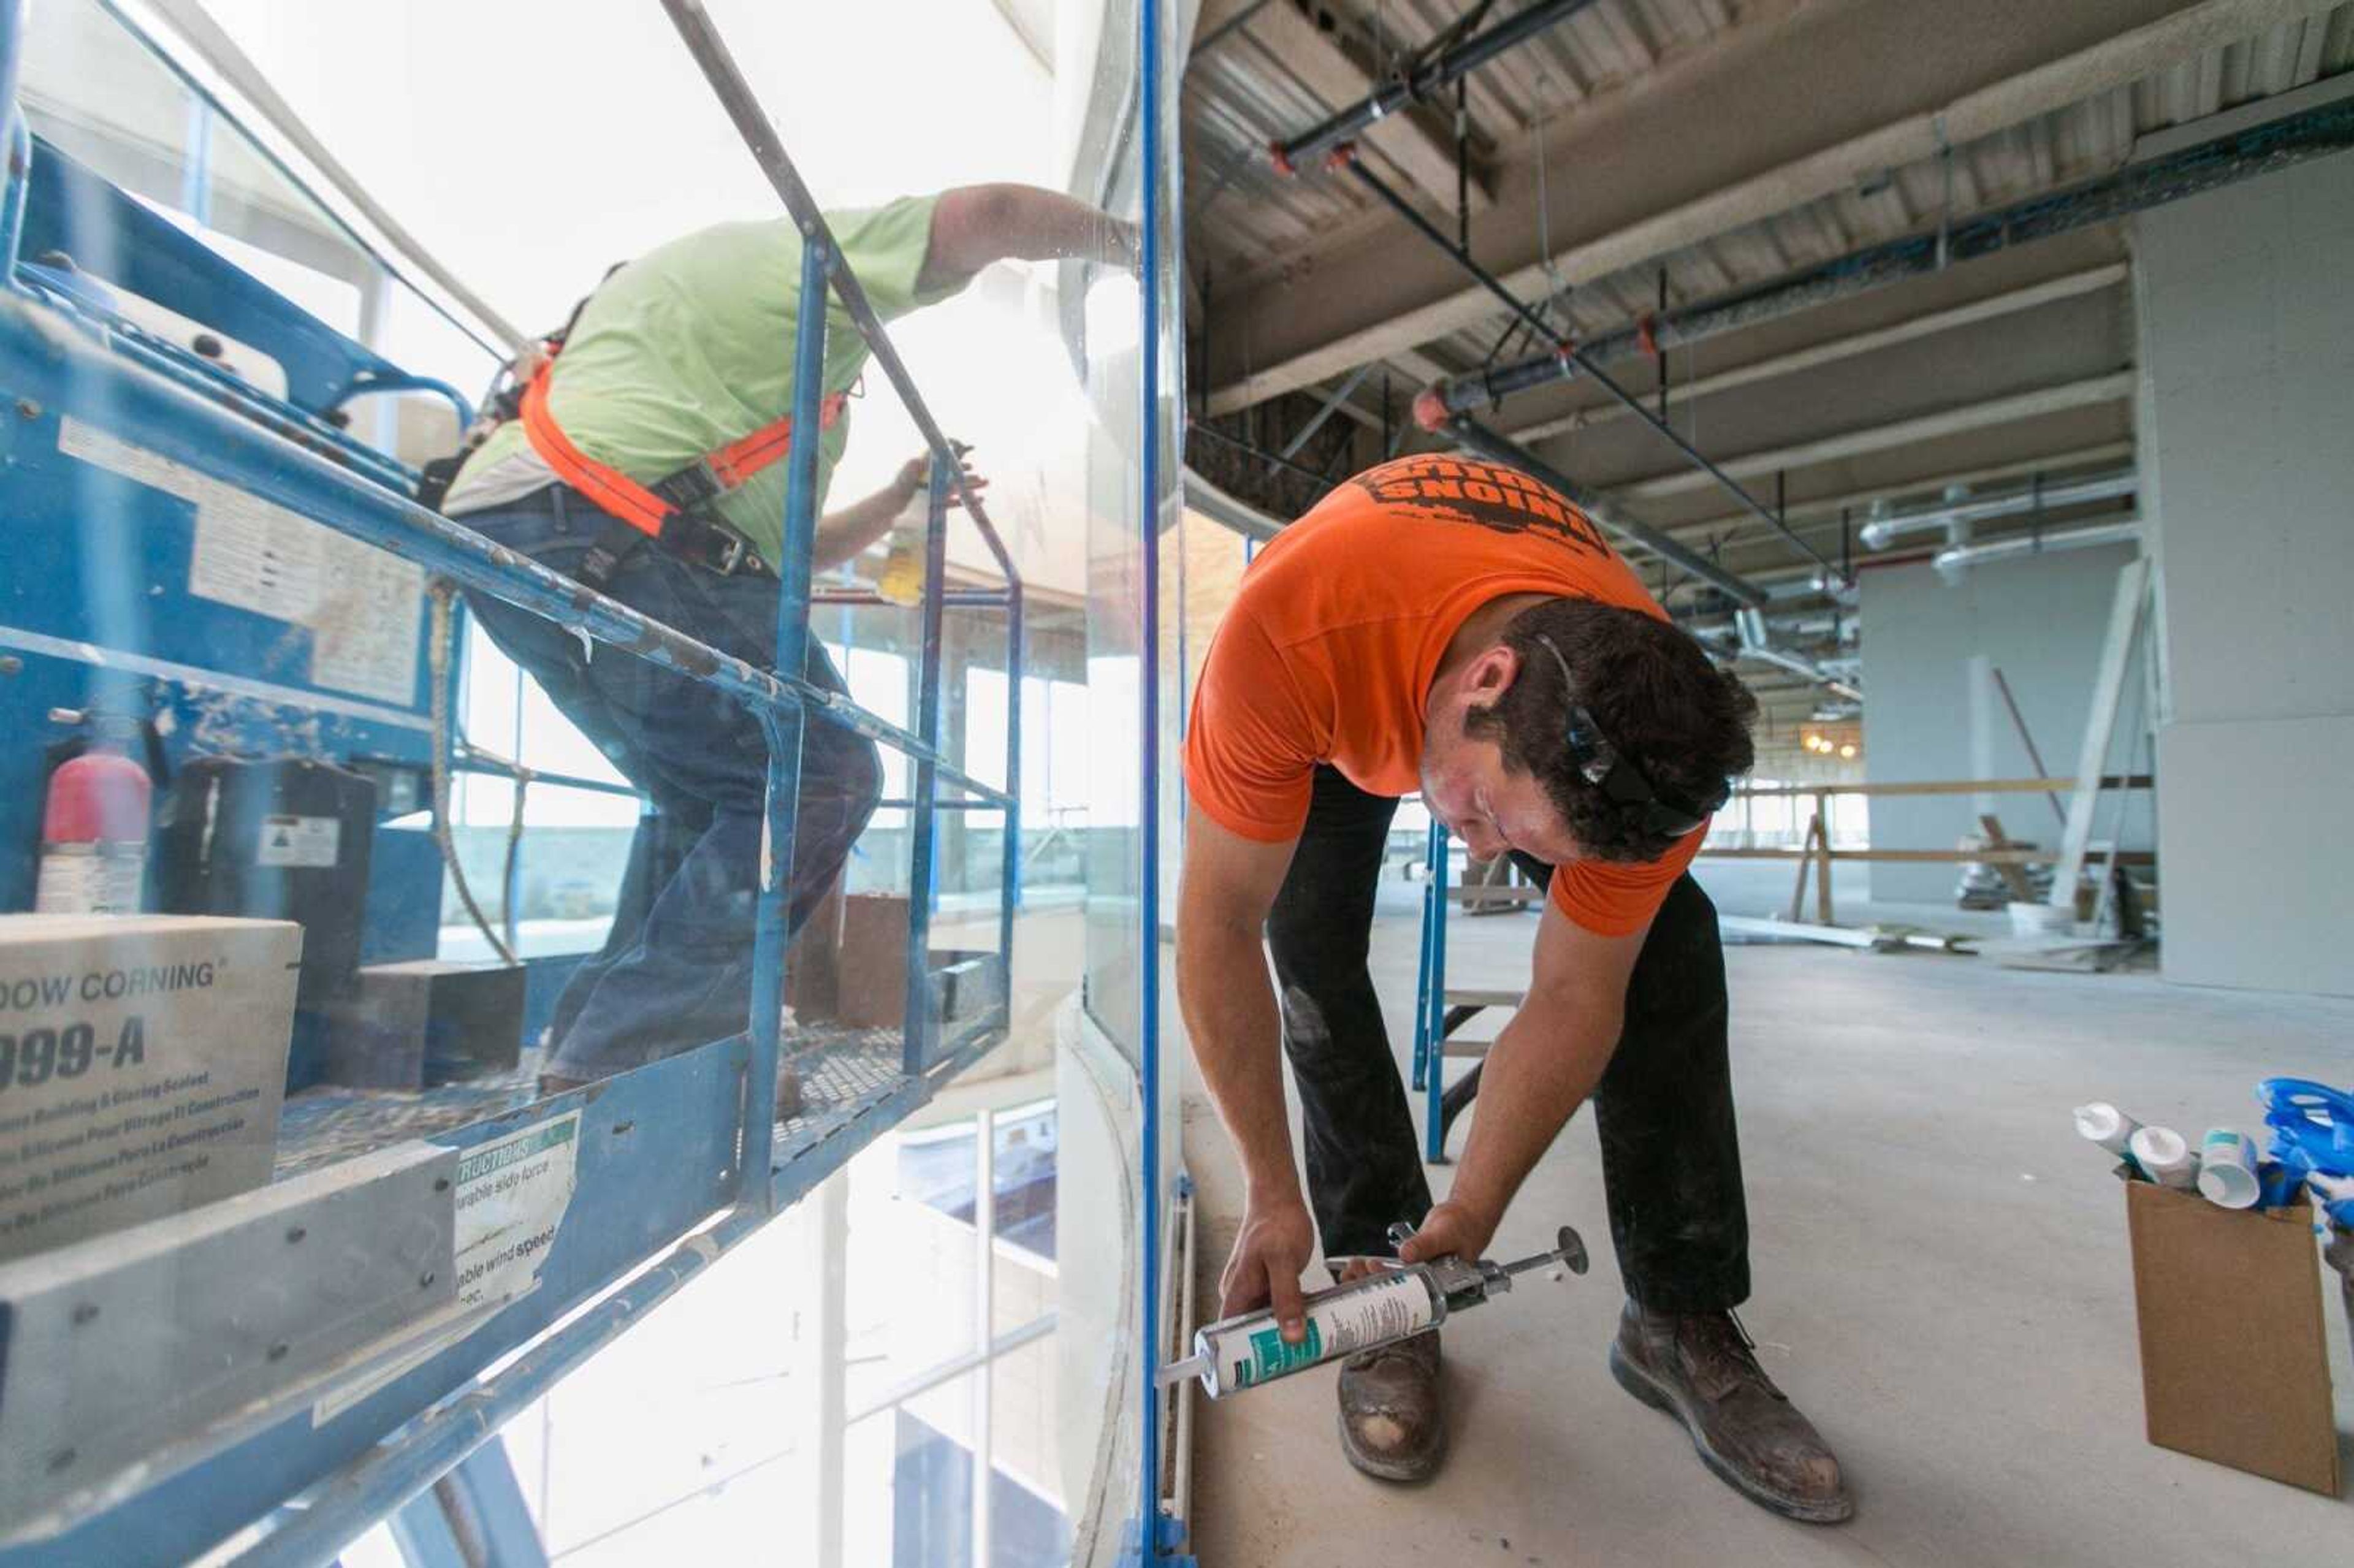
<point>677,1162</point>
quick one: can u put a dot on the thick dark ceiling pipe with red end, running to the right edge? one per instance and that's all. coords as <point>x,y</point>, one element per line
<point>2209,166</point>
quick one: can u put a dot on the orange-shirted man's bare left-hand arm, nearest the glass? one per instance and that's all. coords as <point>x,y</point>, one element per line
<point>1230,1014</point>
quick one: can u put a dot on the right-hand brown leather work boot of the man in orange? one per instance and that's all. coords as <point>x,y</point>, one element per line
<point>1701,1369</point>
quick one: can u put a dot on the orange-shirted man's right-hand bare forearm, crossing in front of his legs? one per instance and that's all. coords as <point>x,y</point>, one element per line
<point>1538,1072</point>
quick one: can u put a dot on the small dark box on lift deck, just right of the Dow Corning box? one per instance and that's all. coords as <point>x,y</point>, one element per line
<point>425,1021</point>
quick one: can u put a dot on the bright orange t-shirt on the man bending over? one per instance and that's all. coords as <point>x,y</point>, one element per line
<point>1329,649</point>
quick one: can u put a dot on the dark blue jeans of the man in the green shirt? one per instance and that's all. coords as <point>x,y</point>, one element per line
<point>677,966</point>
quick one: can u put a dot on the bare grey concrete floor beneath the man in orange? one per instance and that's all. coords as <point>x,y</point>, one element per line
<point>1941,1282</point>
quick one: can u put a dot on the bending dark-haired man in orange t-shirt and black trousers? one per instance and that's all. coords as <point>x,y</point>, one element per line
<point>1458,630</point>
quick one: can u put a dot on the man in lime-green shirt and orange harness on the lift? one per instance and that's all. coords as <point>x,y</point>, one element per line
<point>674,359</point>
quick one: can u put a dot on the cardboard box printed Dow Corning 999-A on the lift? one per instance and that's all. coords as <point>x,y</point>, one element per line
<point>142,1065</point>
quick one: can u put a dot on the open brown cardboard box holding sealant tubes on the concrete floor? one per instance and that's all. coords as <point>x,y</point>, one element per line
<point>2235,1362</point>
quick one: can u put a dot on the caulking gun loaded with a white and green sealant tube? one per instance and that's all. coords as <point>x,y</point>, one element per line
<point>1383,1308</point>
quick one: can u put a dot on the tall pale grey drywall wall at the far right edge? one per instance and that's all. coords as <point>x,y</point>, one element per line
<point>2247,441</point>
